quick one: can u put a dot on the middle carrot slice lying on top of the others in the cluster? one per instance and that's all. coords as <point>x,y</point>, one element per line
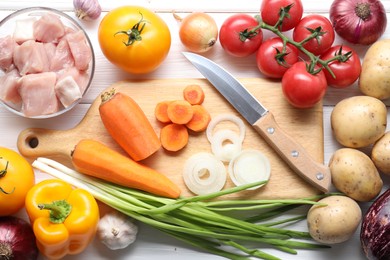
<point>180,111</point>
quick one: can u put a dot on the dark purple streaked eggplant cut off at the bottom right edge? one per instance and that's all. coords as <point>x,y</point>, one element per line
<point>375,230</point>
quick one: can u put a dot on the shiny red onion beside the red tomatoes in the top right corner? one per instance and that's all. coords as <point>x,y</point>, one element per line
<point>358,21</point>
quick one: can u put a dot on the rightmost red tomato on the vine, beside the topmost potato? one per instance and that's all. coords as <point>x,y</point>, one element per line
<point>346,72</point>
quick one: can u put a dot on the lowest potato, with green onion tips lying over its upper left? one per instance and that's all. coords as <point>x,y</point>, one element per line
<point>336,222</point>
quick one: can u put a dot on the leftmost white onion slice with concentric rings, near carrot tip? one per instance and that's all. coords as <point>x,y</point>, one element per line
<point>204,173</point>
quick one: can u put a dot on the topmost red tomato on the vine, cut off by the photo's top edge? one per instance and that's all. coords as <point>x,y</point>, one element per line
<point>270,10</point>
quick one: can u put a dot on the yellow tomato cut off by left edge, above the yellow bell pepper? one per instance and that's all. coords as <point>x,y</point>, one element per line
<point>16,179</point>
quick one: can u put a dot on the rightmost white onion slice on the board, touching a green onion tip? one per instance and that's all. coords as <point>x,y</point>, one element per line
<point>249,166</point>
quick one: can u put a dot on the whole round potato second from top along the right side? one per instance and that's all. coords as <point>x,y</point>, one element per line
<point>359,121</point>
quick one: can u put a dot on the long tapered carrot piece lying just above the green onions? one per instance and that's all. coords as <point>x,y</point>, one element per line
<point>95,159</point>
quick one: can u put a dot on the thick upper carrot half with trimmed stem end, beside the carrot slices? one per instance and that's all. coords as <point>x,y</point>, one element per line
<point>128,125</point>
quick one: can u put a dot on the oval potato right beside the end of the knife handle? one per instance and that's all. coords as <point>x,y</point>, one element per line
<point>354,174</point>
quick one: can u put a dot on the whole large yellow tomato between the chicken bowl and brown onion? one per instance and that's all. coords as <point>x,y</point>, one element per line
<point>134,38</point>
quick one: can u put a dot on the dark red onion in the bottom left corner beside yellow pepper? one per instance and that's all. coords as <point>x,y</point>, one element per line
<point>17,239</point>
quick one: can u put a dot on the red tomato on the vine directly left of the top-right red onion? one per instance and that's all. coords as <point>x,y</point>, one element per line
<point>324,41</point>
